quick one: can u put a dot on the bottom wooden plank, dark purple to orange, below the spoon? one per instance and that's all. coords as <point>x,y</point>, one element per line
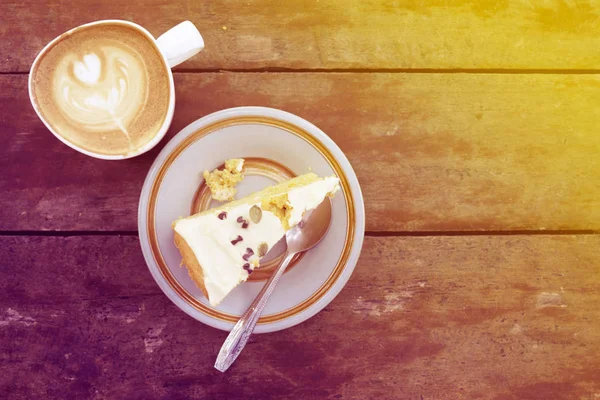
<point>487,317</point>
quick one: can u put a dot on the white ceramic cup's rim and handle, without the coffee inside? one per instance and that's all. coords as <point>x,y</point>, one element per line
<point>176,46</point>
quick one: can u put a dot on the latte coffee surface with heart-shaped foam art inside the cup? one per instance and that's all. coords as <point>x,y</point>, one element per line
<point>104,88</point>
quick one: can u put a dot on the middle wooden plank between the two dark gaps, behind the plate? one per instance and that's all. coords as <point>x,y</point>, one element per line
<point>433,152</point>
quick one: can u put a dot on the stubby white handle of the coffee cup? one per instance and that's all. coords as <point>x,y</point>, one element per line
<point>180,43</point>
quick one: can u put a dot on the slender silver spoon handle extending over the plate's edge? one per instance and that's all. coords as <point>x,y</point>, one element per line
<point>239,335</point>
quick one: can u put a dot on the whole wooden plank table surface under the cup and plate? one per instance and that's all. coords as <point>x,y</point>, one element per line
<point>473,127</point>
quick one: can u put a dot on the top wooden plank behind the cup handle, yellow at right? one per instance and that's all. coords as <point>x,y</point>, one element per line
<point>408,34</point>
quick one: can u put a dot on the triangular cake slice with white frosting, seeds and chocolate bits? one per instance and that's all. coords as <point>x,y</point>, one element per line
<point>220,247</point>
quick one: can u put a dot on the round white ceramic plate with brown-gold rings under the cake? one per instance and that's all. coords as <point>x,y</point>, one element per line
<point>261,133</point>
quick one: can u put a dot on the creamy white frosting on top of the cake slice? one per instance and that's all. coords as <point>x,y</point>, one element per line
<point>210,237</point>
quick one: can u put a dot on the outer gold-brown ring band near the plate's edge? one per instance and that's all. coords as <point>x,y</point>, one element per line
<point>258,120</point>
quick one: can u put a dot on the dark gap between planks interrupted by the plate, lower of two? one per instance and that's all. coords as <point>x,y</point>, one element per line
<point>367,233</point>
